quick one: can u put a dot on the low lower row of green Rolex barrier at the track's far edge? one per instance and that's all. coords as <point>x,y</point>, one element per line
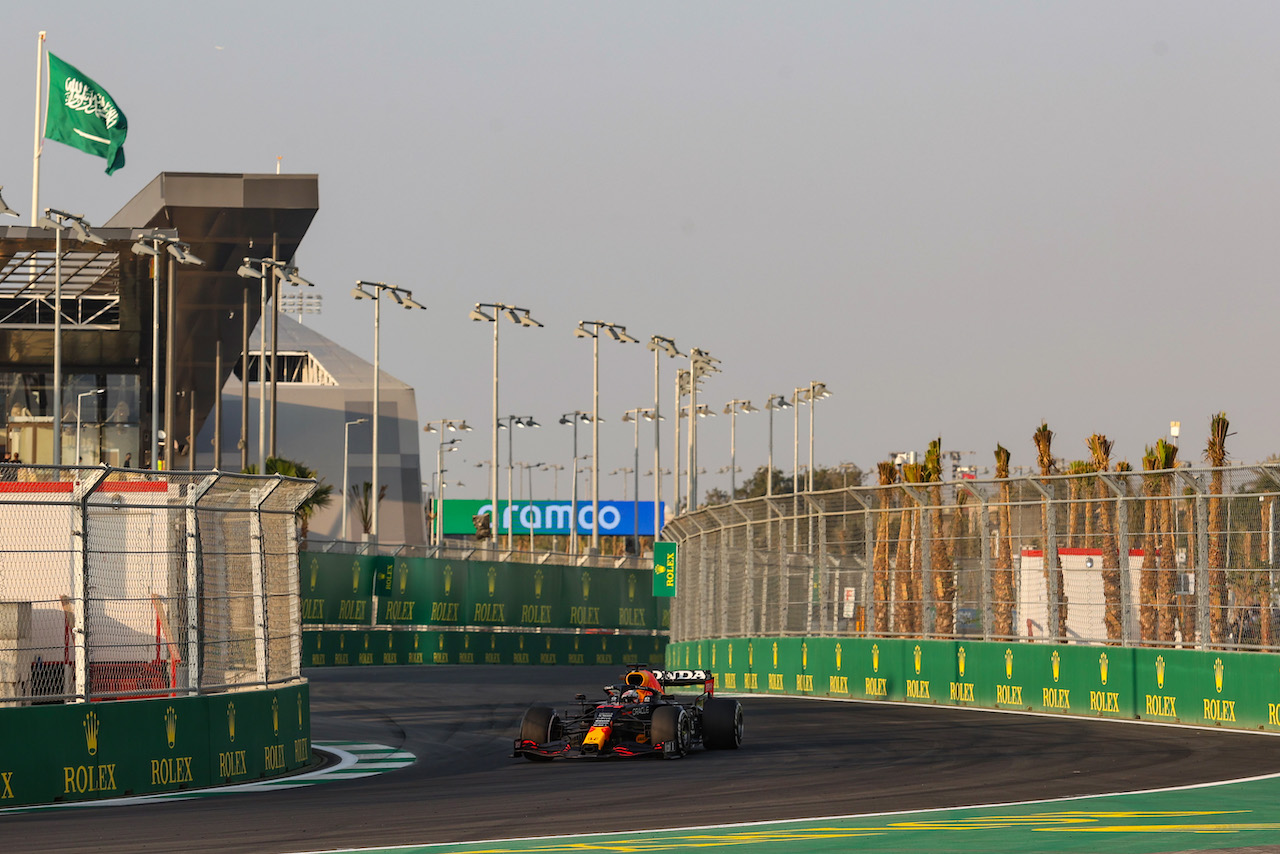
<point>369,647</point>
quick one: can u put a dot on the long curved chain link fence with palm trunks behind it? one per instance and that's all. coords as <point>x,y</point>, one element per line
<point>1178,558</point>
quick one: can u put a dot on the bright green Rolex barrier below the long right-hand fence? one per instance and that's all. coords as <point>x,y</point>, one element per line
<point>1240,691</point>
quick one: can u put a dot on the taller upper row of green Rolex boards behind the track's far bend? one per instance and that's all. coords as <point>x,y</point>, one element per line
<point>426,592</point>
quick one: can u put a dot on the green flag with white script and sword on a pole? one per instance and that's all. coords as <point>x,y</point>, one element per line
<point>84,116</point>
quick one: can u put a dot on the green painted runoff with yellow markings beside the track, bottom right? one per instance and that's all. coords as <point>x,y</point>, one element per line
<point>1235,815</point>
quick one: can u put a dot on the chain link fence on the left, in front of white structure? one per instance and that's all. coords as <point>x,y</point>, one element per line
<point>127,584</point>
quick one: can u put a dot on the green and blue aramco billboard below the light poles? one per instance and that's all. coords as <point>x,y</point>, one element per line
<point>618,518</point>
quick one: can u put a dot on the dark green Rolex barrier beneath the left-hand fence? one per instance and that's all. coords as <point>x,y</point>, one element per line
<point>116,750</point>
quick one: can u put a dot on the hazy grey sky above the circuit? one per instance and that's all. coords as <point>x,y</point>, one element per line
<point>963,218</point>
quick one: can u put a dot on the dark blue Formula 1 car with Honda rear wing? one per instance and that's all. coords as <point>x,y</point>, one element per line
<point>636,719</point>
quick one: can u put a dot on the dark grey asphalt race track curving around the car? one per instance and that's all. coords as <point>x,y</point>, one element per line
<point>799,759</point>
